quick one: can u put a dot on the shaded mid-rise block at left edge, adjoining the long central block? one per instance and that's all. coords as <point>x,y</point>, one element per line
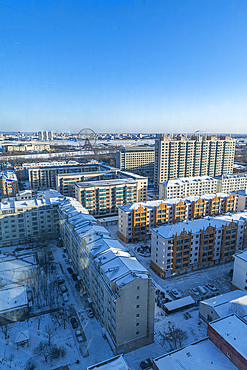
<point>29,216</point>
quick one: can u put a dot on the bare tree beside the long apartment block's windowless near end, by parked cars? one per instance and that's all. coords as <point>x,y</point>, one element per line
<point>174,337</point>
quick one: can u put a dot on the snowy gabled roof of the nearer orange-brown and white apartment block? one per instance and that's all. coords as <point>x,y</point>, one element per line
<point>167,231</point>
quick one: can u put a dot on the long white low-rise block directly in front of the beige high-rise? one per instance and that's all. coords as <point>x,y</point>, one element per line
<point>187,186</point>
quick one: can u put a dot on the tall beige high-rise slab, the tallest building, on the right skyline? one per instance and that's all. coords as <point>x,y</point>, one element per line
<point>199,156</point>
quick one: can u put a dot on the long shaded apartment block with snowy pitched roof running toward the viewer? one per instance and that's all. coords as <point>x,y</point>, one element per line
<point>120,288</point>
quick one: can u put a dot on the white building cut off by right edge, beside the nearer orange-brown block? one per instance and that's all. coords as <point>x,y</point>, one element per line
<point>239,280</point>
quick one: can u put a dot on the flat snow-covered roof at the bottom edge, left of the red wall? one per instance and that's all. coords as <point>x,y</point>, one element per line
<point>201,355</point>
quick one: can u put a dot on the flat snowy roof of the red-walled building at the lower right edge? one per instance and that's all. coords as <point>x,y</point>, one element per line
<point>234,331</point>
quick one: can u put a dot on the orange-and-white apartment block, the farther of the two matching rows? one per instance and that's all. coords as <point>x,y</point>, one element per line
<point>136,220</point>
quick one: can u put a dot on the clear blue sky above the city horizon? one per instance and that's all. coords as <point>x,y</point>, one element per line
<point>123,66</point>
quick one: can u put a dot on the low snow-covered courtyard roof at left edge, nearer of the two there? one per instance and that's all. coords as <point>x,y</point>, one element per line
<point>12,298</point>
